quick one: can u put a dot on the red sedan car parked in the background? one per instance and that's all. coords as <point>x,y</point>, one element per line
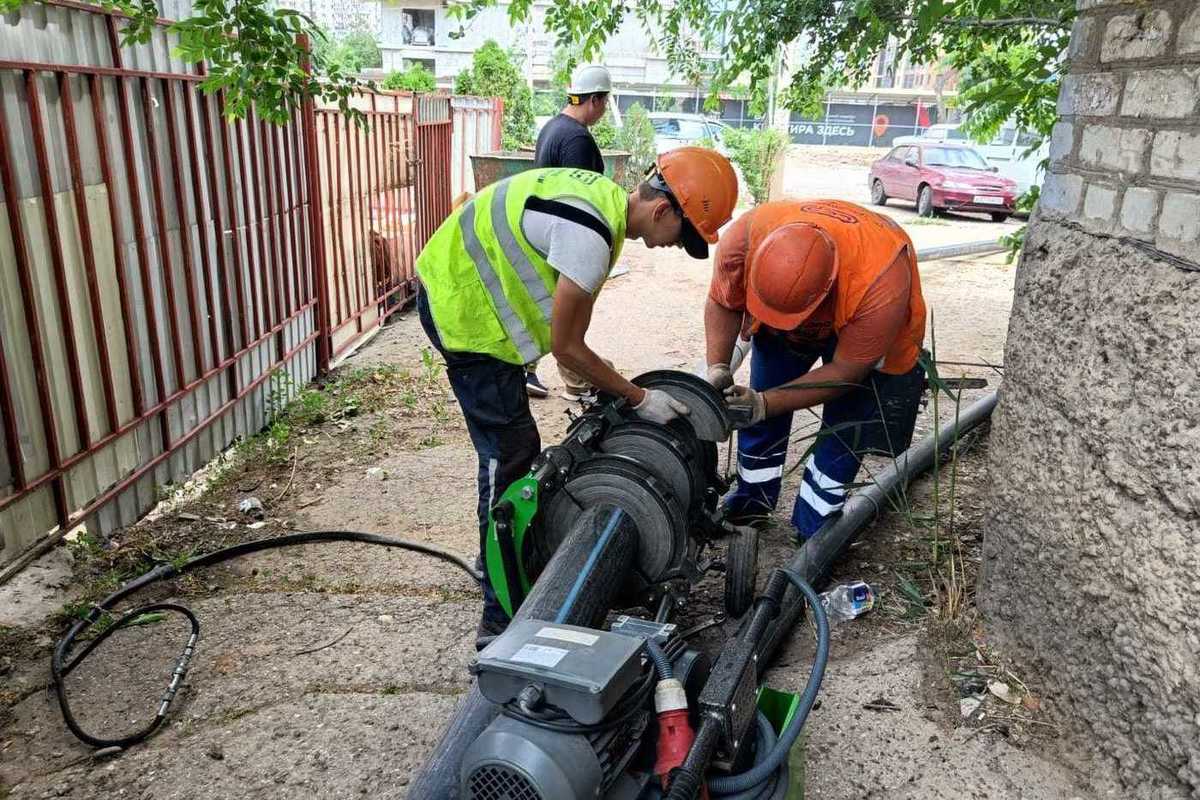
<point>941,176</point>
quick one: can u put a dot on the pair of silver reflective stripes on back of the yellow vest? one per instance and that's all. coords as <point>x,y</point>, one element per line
<point>523,339</point>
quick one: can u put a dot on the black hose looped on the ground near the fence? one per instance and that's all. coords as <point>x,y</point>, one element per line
<point>64,661</point>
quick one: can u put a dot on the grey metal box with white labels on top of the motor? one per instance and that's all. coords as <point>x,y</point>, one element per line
<point>581,671</point>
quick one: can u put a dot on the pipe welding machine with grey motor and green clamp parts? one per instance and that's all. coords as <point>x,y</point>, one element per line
<point>580,703</point>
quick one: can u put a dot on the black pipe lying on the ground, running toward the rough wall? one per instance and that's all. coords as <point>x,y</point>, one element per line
<point>818,555</point>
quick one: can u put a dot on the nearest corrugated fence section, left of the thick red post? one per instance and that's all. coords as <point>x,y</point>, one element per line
<point>154,262</point>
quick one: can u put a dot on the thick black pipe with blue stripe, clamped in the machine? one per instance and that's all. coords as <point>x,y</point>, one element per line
<point>596,558</point>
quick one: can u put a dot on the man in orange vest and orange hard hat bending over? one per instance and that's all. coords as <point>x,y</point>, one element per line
<point>815,280</point>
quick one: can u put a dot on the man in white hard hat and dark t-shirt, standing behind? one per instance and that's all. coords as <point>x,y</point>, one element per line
<point>566,142</point>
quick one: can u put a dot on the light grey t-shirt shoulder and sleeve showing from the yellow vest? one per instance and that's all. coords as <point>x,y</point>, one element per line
<point>574,250</point>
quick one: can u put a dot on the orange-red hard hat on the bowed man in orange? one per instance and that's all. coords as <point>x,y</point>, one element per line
<point>791,272</point>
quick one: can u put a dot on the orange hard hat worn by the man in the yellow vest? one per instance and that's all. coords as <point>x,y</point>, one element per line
<point>705,187</point>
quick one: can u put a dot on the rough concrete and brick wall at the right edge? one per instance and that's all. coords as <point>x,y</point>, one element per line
<point>1094,550</point>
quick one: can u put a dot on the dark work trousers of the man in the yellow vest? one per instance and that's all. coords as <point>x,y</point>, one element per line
<point>494,401</point>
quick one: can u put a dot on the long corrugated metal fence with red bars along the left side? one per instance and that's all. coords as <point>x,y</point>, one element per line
<point>160,264</point>
